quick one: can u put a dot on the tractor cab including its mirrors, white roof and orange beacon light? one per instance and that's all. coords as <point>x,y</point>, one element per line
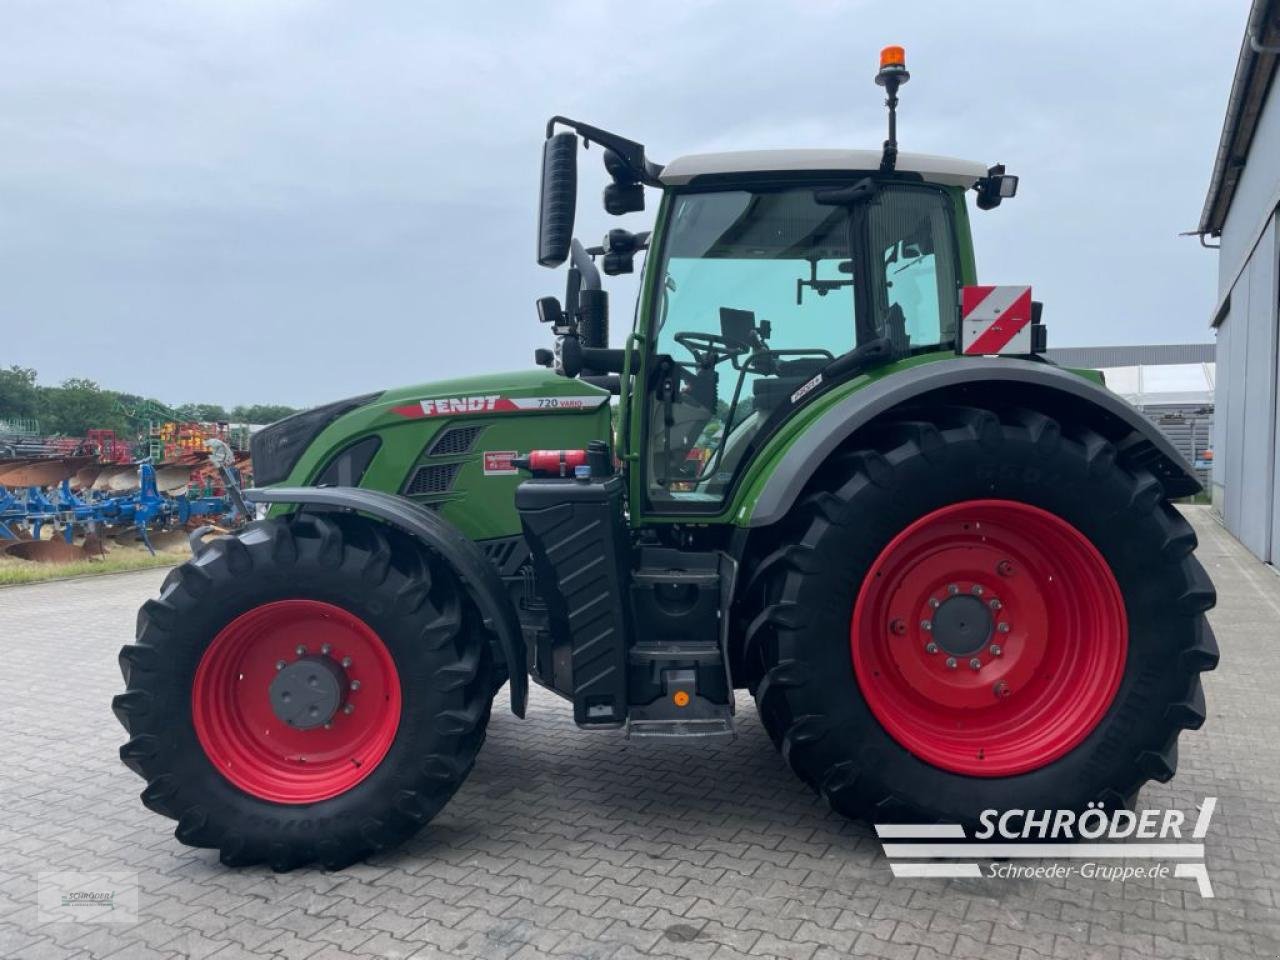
<point>771,278</point>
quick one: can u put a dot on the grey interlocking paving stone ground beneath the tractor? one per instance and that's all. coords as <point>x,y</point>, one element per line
<point>584,845</point>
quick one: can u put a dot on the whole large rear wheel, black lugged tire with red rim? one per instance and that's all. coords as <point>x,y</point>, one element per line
<point>980,610</point>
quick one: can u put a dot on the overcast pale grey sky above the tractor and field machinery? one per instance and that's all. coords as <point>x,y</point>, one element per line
<point>257,202</point>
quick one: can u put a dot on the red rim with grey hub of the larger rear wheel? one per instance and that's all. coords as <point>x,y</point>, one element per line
<point>990,638</point>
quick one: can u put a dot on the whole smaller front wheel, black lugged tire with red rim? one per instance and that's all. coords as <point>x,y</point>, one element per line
<point>368,639</point>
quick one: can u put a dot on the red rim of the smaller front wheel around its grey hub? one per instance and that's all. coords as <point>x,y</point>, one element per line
<point>254,748</point>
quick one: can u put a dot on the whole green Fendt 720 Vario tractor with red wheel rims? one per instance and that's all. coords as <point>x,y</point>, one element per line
<point>828,468</point>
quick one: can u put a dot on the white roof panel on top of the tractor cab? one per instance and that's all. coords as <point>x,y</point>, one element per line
<point>935,170</point>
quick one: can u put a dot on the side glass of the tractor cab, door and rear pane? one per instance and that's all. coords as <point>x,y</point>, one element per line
<point>760,291</point>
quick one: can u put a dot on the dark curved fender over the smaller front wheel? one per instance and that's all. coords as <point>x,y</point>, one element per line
<point>437,534</point>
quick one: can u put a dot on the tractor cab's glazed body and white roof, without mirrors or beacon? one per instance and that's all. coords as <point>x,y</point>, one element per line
<point>762,284</point>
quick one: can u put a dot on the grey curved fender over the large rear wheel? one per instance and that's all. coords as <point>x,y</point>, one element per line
<point>1039,386</point>
